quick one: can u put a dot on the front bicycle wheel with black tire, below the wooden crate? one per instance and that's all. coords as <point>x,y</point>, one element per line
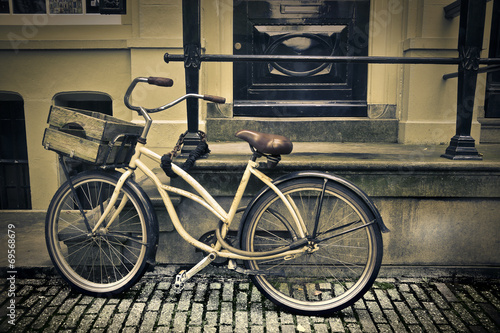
<point>109,261</point>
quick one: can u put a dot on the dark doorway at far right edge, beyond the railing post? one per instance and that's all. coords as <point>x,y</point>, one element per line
<point>492,103</point>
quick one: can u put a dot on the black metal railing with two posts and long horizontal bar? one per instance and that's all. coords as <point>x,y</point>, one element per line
<point>472,17</point>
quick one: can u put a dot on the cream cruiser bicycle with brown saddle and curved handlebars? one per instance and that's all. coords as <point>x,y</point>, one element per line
<point>310,241</point>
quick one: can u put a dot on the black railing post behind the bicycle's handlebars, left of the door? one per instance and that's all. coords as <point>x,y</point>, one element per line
<point>192,52</point>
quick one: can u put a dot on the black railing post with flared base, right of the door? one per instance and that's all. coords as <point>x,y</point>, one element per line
<point>470,41</point>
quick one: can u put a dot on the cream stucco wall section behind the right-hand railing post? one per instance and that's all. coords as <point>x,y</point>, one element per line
<point>427,102</point>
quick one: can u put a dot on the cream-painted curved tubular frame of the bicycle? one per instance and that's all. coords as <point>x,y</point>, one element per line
<point>206,200</point>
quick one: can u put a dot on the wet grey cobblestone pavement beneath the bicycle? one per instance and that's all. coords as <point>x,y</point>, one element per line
<point>211,303</point>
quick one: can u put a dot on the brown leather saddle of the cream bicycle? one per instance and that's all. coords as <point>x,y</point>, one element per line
<point>267,143</point>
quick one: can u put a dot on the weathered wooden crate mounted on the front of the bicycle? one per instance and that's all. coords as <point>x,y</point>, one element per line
<point>85,135</point>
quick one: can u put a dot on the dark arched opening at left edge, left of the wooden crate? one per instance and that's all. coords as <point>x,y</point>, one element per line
<point>15,190</point>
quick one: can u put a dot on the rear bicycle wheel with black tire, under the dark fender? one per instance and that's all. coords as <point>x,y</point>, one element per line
<point>332,274</point>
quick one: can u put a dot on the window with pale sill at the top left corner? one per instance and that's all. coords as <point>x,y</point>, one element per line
<point>54,12</point>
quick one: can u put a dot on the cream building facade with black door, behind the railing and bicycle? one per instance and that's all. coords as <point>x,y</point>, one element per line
<point>65,53</point>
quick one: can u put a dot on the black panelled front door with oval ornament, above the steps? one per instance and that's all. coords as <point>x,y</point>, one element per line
<point>296,27</point>
